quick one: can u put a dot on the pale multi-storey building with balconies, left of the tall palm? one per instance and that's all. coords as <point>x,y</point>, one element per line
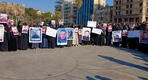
<point>68,10</point>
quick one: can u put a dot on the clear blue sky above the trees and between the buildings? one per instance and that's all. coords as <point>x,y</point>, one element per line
<point>43,5</point>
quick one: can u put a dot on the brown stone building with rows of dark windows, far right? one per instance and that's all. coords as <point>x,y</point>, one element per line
<point>130,11</point>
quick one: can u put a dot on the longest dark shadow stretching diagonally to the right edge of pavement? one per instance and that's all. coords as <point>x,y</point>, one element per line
<point>124,63</point>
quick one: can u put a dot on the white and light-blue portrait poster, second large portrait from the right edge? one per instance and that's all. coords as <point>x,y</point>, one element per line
<point>116,35</point>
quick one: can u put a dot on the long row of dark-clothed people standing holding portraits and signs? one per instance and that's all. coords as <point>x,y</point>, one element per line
<point>21,41</point>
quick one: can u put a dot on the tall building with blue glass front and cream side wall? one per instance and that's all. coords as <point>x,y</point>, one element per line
<point>90,10</point>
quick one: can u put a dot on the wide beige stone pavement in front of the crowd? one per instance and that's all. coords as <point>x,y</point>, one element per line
<point>74,63</point>
